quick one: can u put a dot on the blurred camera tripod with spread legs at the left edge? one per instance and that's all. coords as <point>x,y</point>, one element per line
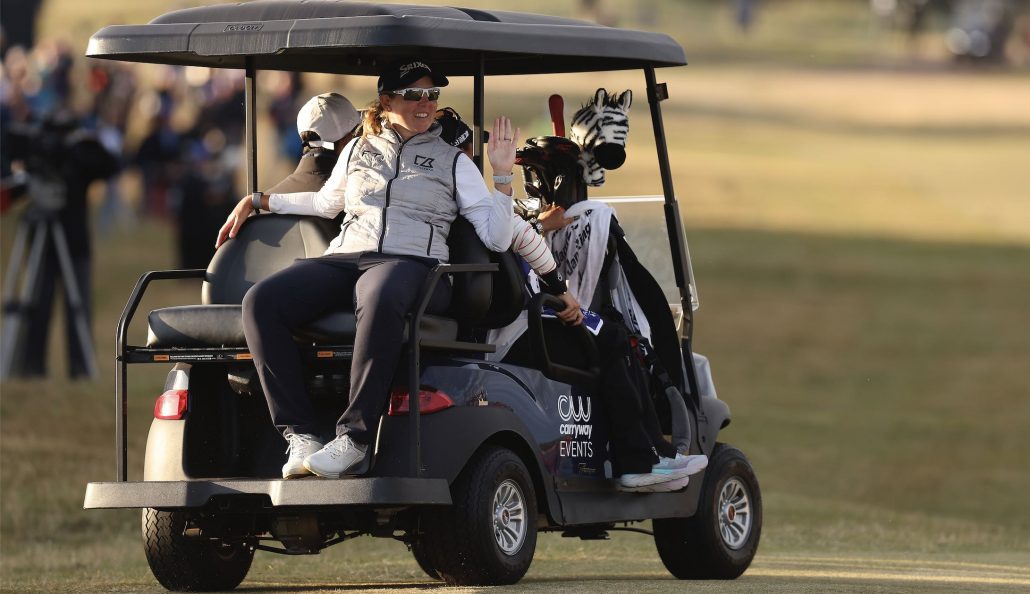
<point>42,227</point>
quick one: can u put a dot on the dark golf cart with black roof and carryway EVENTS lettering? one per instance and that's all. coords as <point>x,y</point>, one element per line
<point>474,458</point>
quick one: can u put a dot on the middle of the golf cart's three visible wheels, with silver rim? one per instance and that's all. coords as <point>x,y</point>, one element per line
<point>460,540</point>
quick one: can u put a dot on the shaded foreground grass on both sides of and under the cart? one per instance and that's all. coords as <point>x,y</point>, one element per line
<point>874,383</point>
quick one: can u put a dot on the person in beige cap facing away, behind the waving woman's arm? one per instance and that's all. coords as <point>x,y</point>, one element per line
<point>326,124</point>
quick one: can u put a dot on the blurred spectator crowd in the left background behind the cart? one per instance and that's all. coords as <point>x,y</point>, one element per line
<point>177,133</point>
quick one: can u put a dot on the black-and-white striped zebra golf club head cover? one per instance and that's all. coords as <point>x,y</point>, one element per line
<point>601,128</point>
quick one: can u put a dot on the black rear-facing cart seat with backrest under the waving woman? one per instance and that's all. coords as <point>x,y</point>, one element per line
<point>267,244</point>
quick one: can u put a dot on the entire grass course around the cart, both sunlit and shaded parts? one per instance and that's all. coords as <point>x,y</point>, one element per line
<point>862,241</point>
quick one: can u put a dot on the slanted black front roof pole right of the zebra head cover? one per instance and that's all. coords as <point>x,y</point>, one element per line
<point>677,237</point>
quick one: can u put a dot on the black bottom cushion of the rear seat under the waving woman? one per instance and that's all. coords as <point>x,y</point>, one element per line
<point>222,326</point>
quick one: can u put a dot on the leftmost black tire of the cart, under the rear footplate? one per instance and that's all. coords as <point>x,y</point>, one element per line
<point>184,565</point>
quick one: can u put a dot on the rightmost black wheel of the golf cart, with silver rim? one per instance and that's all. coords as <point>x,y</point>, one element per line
<point>714,544</point>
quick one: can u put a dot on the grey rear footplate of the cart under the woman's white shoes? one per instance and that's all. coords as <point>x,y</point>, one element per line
<point>377,493</point>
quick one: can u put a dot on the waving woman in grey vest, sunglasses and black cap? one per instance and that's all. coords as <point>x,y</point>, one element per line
<point>401,187</point>
